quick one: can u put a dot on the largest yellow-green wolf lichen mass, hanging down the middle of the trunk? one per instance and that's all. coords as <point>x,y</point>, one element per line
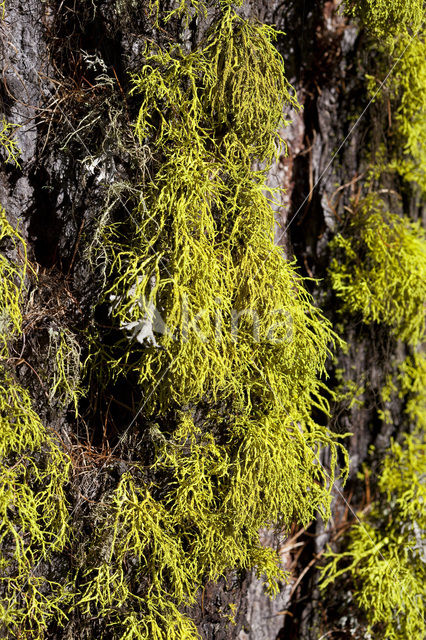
<point>234,374</point>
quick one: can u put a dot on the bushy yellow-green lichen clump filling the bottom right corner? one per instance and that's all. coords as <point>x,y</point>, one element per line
<point>385,556</point>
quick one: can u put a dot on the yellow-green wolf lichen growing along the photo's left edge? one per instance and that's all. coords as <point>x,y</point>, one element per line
<point>33,473</point>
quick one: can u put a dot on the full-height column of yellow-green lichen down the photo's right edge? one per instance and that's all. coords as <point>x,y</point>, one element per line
<point>378,272</point>
